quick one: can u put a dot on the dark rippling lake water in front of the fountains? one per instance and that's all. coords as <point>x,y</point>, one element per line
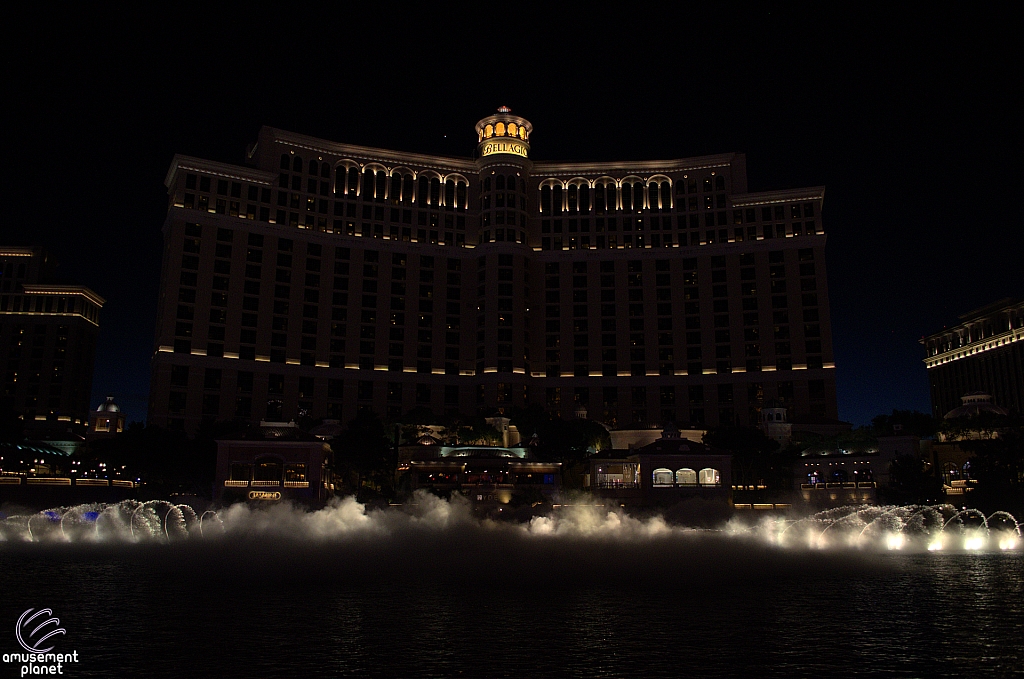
<point>421,599</point>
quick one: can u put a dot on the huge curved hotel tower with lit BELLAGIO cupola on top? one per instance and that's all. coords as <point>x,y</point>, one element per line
<point>322,278</point>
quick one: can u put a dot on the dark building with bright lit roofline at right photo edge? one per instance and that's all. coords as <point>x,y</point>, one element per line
<point>985,353</point>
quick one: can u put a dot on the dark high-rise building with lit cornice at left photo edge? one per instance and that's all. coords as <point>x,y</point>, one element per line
<point>48,341</point>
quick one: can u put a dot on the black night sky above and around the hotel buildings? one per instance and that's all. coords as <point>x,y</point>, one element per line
<point>909,121</point>
